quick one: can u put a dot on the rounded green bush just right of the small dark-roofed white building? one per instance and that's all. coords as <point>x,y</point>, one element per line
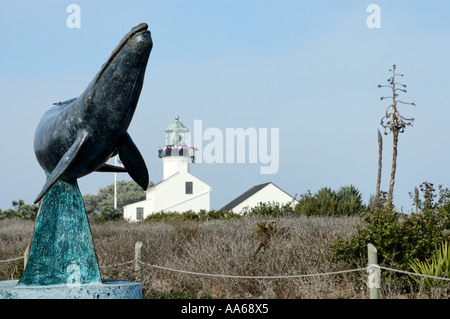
<point>327,202</point>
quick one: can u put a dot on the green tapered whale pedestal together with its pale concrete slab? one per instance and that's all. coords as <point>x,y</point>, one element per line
<point>62,262</point>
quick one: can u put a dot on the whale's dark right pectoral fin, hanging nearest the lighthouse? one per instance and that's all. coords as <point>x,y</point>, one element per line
<point>133,162</point>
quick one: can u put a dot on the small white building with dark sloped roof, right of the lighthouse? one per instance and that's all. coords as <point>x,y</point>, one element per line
<point>264,193</point>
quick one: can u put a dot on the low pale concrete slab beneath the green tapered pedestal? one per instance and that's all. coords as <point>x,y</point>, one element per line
<point>108,289</point>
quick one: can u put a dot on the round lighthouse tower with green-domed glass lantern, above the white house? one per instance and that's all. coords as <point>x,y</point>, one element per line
<point>177,154</point>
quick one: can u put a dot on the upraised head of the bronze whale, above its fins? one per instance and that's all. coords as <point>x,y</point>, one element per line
<point>115,91</point>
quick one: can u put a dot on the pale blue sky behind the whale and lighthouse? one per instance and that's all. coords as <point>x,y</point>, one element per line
<point>309,68</point>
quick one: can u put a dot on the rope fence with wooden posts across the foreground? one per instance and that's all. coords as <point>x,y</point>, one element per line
<point>373,270</point>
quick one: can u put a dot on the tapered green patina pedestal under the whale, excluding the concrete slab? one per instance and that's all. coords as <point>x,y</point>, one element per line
<point>62,251</point>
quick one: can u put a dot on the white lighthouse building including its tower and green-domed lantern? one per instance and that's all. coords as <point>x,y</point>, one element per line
<point>179,190</point>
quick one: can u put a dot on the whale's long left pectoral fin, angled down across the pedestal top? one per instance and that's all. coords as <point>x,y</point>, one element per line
<point>63,164</point>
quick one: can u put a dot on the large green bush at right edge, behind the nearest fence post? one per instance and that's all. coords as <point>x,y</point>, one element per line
<point>399,238</point>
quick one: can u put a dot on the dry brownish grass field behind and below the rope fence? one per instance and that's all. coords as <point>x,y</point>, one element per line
<point>251,246</point>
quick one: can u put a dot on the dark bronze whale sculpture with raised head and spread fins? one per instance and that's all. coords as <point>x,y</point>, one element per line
<point>78,136</point>
